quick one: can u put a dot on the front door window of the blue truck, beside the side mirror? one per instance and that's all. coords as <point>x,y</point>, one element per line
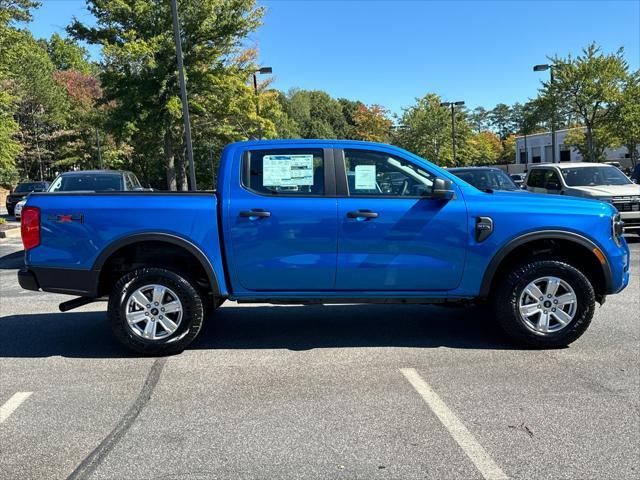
<point>381,174</point>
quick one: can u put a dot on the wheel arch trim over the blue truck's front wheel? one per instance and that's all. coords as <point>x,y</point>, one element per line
<point>603,273</point>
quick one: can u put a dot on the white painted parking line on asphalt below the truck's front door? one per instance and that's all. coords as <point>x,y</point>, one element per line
<point>478,455</point>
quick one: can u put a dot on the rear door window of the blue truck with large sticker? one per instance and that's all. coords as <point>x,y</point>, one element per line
<point>284,172</point>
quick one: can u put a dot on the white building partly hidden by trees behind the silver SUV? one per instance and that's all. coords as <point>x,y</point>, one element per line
<point>536,148</point>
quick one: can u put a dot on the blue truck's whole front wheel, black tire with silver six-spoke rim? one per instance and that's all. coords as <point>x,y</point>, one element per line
<point>544,304</point>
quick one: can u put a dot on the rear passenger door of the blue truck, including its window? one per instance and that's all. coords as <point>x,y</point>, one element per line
<point>282,220</point>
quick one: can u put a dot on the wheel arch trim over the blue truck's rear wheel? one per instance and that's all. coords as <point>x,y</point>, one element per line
<point>159,237</point>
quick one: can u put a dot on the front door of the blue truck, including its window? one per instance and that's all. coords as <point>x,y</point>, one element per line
<point>392,236</point>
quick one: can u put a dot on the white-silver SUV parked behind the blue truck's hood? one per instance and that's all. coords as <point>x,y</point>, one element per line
<point>591,180</point>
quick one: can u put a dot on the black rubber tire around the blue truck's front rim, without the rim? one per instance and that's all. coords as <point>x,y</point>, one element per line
<point>506,300</point>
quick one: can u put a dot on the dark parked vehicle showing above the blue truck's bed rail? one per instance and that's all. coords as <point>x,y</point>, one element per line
<point>96,181</point>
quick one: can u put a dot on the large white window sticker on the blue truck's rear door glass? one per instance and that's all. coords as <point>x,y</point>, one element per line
<point>287,170</point>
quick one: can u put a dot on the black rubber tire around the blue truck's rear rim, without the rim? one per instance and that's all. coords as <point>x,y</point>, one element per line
<point>184,289</point>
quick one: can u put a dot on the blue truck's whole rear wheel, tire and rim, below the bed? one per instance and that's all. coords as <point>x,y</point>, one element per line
<point>154,311</point>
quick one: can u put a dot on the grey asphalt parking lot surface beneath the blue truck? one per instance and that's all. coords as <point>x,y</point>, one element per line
<point>315,392</point>
